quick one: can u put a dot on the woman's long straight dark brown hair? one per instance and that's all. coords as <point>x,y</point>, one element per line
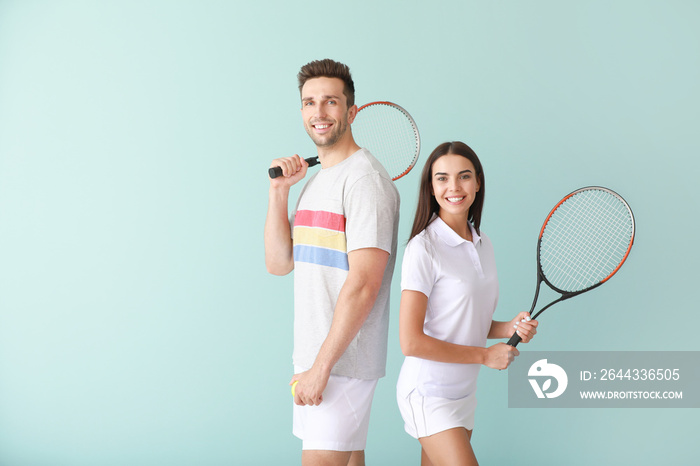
<point>427,205</point>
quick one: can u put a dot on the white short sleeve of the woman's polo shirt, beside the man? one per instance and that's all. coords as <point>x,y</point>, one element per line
<point>418,271</point>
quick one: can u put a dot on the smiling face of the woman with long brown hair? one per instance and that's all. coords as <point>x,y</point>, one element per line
<point>455,184</point>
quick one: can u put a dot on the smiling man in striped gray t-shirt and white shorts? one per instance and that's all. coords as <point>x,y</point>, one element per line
<point>341,242</point>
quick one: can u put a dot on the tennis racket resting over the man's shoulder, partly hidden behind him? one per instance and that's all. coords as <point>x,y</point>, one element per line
<point>390,134</point>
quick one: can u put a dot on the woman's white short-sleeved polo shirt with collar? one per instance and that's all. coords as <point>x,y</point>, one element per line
<point>459,278</point>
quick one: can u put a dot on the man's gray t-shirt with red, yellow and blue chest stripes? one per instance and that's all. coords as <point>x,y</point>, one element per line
<point>351,205</point>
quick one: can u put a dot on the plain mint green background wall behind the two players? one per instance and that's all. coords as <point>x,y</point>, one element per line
<point>137,323</point>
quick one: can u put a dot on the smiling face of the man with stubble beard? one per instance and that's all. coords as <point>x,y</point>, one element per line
<point>324,110</point>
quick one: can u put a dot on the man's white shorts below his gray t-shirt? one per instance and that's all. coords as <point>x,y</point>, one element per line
<point>341,421</point>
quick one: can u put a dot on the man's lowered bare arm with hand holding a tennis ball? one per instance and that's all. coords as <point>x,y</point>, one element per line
<point>355,302</point>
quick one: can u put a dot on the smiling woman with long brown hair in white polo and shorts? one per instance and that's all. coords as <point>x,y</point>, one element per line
<point>449,294</point>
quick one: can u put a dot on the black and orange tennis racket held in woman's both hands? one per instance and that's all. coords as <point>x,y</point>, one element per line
<point>584,241</point>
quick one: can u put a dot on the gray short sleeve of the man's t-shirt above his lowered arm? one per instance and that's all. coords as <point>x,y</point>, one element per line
<point>371,212</point>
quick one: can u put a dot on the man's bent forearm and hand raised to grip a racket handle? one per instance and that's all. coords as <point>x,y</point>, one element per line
<point>279,257</point>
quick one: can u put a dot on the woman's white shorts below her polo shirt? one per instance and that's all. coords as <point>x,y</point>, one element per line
<point>424,416</point>
